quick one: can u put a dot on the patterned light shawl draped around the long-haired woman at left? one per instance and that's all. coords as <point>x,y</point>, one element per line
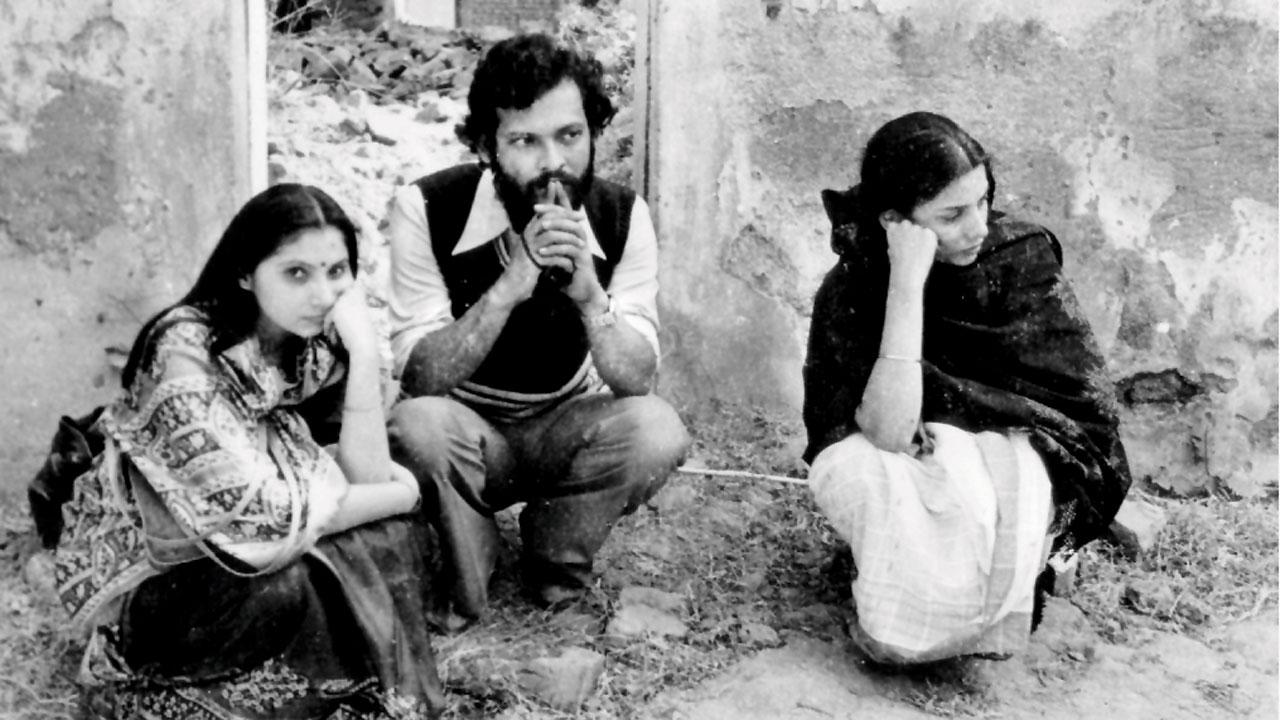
<point>205,457</point>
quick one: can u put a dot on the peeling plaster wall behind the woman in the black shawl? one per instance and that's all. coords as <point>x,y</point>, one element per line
<point>1142,133</point>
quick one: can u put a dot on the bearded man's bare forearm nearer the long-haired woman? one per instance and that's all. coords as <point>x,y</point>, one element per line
<point>445,358</point>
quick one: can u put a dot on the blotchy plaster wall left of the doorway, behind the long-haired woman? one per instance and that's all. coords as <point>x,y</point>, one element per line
<point>124,152</point>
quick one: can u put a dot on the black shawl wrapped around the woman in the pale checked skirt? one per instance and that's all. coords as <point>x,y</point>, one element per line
<point>1005,347</point>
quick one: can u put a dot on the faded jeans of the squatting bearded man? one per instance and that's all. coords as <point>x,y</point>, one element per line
<point>579,467</point>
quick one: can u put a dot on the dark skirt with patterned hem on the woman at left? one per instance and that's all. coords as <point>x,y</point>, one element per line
<point>340,634</point>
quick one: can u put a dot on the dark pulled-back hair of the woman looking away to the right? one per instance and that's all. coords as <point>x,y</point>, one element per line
<point>909,161</point>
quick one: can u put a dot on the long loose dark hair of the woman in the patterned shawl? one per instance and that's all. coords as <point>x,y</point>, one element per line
<point>267,222</point>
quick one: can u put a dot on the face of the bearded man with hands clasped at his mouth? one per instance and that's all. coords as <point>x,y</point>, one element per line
<point>551,139</point>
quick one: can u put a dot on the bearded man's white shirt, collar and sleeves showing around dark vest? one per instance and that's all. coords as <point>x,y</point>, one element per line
<point>419,300</point>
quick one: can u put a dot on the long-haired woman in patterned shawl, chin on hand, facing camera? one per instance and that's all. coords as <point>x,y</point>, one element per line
<point>221,562</point>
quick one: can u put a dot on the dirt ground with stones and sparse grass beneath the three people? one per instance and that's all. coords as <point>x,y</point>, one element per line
<point>752,566</point>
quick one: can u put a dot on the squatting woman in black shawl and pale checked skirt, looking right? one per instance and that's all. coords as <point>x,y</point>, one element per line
<point>962,427</point>
